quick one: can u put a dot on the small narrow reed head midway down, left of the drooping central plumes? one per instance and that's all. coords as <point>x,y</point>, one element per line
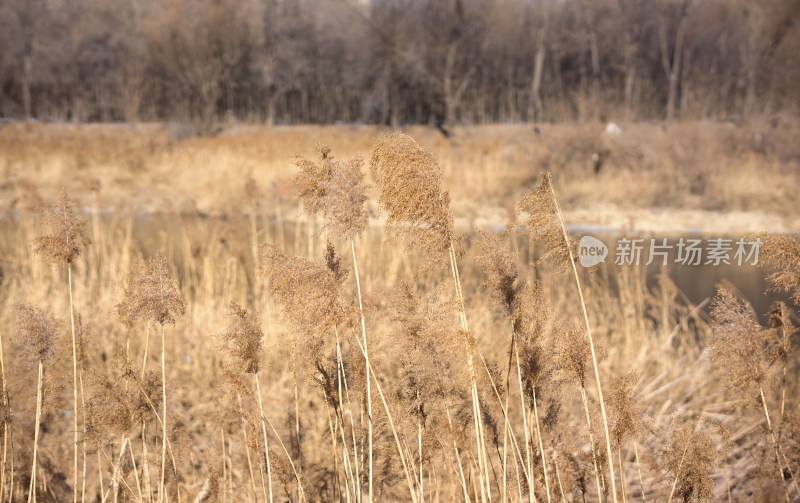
<point>242,339</point>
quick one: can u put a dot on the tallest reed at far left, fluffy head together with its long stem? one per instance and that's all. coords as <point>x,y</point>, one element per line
<point>62,246</point>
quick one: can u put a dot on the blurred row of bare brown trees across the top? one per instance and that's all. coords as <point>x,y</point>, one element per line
<point>398,61</point>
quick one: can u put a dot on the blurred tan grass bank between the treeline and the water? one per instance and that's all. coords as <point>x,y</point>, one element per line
<point>710,176</point>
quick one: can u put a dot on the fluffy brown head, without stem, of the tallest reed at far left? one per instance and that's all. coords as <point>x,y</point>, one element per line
<point>68,236</point>
